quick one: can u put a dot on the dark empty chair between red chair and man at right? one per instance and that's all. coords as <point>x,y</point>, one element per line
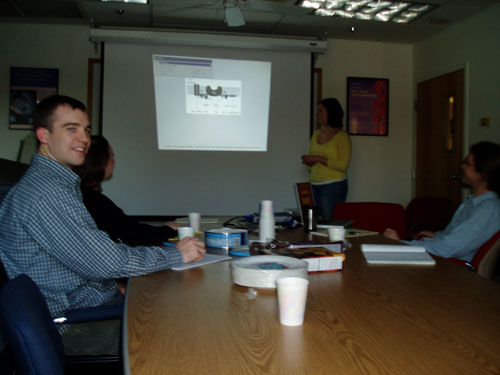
<point>427,213</point>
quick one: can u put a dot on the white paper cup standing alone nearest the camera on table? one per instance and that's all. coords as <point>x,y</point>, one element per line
<point>292,295</point>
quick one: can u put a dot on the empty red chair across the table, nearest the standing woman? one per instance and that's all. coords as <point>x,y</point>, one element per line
<point>373,216</point>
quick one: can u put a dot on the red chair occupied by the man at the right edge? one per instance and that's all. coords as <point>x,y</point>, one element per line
<point>485,260</point>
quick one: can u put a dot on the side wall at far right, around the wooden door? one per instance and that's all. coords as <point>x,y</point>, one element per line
<point>474,45</point>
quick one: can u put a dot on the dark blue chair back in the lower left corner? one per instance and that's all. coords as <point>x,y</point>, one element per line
<point>33,337</point>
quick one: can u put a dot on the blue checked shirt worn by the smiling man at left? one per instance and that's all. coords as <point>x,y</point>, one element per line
<point>47,233</point>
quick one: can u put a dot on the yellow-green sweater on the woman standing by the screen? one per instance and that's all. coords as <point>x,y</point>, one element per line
<point>338,152</point>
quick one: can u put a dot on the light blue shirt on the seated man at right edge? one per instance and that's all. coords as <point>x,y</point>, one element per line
<point>474,223</point>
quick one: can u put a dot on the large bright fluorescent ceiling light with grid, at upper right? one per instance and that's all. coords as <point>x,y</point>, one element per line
<point>395,11</point>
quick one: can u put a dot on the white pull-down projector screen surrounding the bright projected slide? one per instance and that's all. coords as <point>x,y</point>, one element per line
<point>148,181</point>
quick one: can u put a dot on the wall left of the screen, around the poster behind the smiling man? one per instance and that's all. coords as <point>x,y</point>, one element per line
<point>41,46</point>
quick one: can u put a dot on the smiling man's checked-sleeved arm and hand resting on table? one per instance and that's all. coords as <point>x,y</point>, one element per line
<point>89,252</point>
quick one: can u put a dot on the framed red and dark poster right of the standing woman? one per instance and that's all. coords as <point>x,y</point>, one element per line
<point>367,106</point>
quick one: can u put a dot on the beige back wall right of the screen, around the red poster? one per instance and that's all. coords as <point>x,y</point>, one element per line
<point>380,167</point>
